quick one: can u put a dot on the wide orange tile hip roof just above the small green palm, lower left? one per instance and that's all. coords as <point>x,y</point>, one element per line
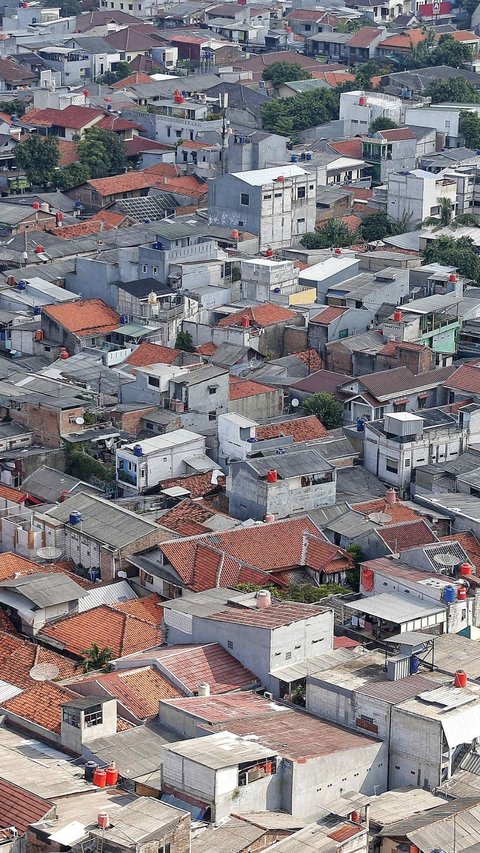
<point>107,627</point>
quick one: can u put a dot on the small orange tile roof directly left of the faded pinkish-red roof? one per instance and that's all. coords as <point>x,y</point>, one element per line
<point>137,690</point>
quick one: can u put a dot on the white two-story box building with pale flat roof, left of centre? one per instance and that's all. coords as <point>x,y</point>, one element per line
<point>143,464</point>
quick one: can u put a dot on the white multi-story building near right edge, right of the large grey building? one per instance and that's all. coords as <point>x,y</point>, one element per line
<point>415,195</point>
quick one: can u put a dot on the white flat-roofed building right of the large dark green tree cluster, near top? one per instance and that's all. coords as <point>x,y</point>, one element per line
<point>359,109</point>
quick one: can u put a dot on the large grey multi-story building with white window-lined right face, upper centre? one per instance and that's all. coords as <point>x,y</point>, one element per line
<point>278,204</point>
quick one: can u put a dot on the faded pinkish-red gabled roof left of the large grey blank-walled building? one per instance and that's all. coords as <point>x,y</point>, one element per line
<point>188,666</point>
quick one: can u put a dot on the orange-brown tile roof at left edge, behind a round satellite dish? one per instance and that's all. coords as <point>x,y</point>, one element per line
<point>18,656</point>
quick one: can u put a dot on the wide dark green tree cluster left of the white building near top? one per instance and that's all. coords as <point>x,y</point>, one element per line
<point>289,116</point>
